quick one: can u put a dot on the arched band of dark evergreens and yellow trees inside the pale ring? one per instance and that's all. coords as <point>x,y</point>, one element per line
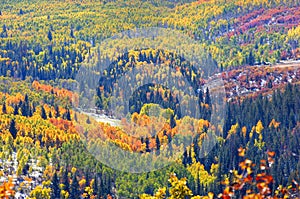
<point>158,93</point>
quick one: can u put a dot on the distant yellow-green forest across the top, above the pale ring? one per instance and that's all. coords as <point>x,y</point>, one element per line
<point>259,34</point>
